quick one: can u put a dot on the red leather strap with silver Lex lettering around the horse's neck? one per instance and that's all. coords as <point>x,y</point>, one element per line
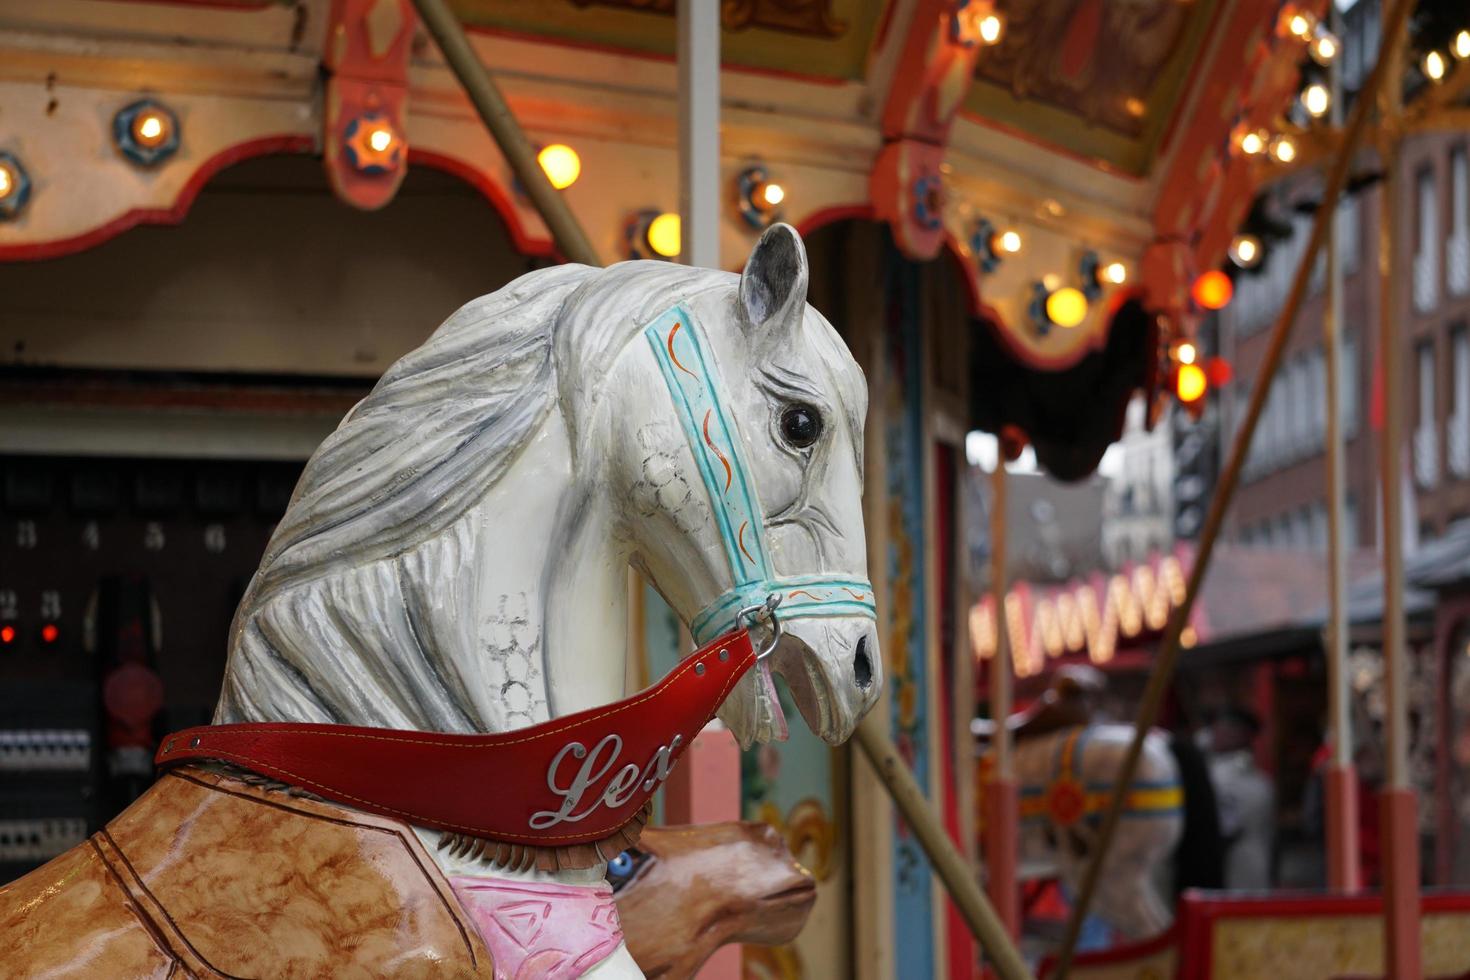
<point>576,779</point>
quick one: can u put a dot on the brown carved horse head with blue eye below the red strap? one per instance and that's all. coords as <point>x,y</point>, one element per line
<point>684,893</point>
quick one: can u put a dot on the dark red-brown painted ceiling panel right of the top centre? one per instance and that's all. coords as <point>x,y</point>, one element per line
<point>1094,79</point>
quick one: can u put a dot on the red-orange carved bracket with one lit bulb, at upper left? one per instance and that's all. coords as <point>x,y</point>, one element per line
<point>364,137</point>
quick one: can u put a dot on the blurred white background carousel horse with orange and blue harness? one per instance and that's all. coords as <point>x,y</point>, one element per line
<point>1065,781</point>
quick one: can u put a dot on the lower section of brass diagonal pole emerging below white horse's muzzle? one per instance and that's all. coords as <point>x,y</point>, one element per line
<point>949,863</point>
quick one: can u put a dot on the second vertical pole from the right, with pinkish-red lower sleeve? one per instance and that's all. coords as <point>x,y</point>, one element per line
<point>1340,778</point>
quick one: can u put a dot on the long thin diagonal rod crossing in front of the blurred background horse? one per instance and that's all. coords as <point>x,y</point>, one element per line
<point>1169,650</point>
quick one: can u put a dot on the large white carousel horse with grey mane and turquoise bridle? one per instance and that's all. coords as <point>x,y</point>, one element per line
<point>455,556</point>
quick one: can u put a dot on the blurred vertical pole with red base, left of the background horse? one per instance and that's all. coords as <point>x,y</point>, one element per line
<point>1002,809</point>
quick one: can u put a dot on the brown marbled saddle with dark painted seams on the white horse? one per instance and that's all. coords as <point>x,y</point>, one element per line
<point>212,876</point>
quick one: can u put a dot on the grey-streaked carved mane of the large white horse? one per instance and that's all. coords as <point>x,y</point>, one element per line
<point>364,608</point>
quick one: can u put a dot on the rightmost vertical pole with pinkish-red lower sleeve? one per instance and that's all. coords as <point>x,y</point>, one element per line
<point>1400,818</point>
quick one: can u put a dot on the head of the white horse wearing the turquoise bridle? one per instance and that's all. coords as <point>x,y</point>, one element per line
<point>747,414</point>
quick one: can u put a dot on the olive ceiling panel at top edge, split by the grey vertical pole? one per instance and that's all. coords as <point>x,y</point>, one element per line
<point>825,39</point>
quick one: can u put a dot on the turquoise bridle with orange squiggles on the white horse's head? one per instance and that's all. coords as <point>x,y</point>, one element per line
<point>699,400</point>
